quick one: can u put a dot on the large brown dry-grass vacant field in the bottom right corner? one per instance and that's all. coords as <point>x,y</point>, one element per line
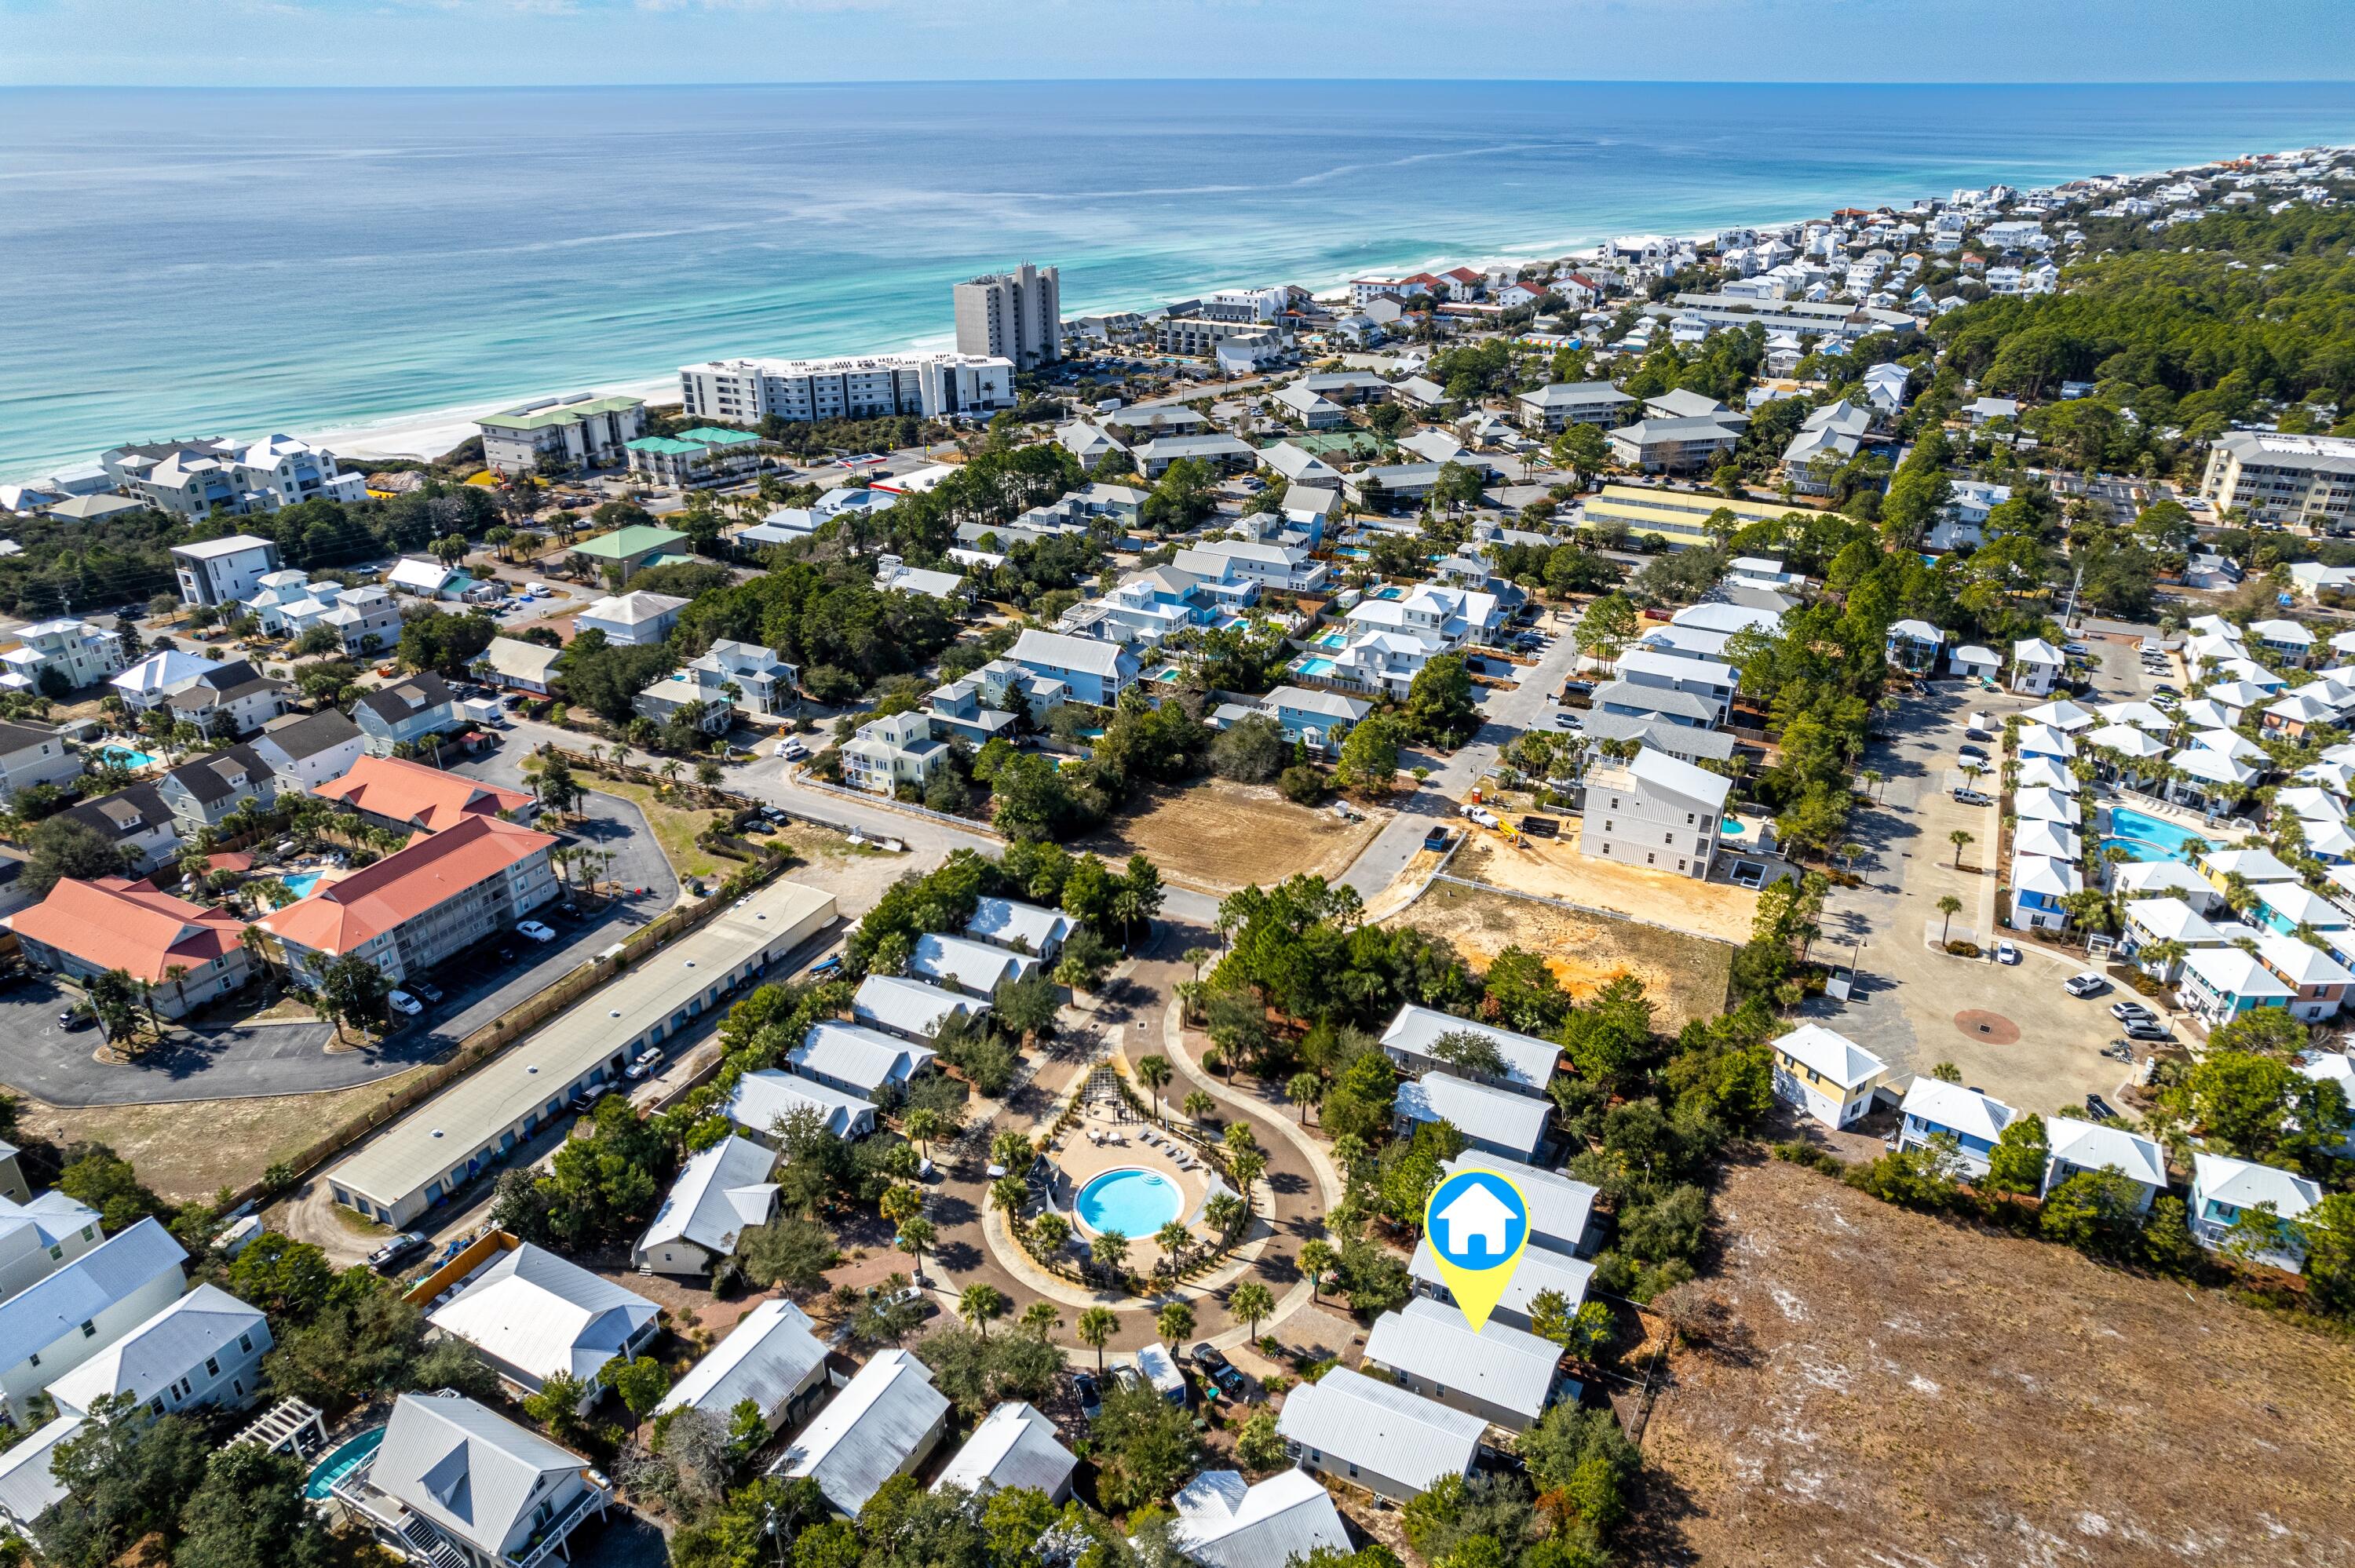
<point>1925,1395</point>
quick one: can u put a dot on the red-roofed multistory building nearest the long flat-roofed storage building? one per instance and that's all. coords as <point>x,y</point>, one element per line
<point>425,903</point>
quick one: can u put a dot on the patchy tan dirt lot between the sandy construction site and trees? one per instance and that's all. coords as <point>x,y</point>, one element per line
<point>1685,976</point>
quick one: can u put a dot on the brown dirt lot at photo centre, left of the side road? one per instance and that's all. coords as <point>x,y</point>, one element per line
<point>1221,837</point>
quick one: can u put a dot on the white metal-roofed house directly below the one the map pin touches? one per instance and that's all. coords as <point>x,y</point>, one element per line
<point>1376,1435</point>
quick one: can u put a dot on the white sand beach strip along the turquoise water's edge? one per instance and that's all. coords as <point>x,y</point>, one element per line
<point>430,434</point>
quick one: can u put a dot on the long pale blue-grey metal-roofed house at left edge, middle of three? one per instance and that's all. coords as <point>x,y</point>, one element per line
<point>67,1320</point>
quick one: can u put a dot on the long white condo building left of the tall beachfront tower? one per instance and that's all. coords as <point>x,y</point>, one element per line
<point>854,387</point>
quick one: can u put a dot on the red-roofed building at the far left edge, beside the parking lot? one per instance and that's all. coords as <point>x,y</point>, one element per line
<point>112,924</point>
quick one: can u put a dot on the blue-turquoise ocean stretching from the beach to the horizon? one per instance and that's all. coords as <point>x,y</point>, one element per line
<point>246,263</point>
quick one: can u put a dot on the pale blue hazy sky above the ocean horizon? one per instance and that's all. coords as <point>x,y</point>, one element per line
<point>409,44</point>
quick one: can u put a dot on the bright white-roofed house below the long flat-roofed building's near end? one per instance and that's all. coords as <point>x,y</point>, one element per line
<point>536,1315</point>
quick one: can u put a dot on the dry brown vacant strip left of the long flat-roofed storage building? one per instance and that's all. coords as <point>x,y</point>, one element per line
<point>194,1150</point>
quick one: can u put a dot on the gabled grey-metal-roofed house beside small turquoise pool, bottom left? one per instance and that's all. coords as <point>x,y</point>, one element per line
<point>460,1487</point>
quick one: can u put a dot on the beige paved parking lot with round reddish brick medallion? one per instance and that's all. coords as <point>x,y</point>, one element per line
<point>2012,1030</point>
